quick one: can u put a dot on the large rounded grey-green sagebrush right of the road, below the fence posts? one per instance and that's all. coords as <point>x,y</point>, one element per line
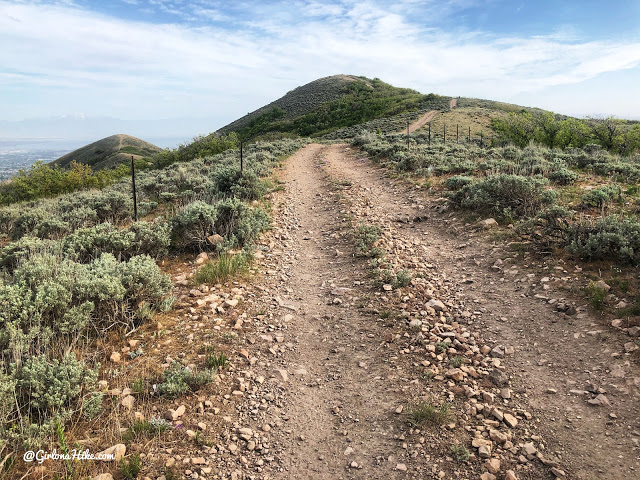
<point>505,194</point>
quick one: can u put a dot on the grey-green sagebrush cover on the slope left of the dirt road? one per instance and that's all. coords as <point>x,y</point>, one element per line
<point>75,267</point>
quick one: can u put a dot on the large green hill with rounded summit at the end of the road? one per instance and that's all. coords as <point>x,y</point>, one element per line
<point>332,103</point>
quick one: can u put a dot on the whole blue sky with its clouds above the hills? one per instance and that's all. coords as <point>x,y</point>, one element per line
<point>201,64</point>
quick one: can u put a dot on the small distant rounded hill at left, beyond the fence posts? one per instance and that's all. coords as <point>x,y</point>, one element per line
<point>109,152</point>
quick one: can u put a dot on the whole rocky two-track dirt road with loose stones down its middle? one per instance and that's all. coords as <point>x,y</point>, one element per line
<point>480,368</point>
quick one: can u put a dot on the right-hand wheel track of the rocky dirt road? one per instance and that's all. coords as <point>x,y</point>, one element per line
<point>558,357</point>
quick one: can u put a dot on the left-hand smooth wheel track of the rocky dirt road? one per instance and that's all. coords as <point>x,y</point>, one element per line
<point>344,404</point>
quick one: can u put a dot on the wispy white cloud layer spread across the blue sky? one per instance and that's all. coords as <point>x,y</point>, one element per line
<point>72,57</point>
